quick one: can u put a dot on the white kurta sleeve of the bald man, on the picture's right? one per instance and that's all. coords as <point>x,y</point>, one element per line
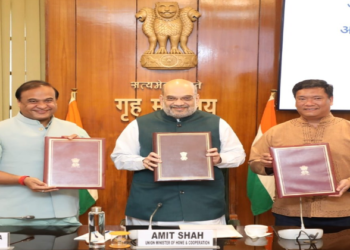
<point>231,152</point>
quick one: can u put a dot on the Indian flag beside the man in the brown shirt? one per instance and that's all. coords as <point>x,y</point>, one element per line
<point>261,189</point>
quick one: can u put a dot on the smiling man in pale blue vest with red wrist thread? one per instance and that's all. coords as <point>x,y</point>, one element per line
<point>22,191</point>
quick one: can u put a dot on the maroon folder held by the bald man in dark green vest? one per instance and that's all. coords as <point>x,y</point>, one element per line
<point>183,156</point>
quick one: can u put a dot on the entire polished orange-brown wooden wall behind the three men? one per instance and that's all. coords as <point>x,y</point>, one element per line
<point>96,45</point>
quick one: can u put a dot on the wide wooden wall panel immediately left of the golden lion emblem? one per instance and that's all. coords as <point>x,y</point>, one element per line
<point>105,67</point>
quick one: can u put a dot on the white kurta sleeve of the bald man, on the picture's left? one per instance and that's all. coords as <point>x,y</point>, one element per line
<point>126,154</point>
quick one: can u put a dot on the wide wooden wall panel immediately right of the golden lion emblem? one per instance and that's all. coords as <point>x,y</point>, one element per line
<point>227,53</point>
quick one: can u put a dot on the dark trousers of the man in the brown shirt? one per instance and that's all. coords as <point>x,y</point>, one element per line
<point>281,220</point>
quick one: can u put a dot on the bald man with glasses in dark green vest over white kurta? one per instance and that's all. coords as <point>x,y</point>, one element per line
<point>200,202</point>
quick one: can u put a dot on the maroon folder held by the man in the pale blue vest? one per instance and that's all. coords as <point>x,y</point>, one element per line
<point>77,163</point>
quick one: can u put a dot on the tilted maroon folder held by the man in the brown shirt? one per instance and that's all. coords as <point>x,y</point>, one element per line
<point>303,170</point>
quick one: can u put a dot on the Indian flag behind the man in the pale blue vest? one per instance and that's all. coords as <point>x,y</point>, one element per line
<point>87,197</point>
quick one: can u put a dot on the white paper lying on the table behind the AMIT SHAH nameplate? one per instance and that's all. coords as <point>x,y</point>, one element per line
<point>220,231</point>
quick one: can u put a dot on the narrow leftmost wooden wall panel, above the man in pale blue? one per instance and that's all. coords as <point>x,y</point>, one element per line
<point>60,50</point>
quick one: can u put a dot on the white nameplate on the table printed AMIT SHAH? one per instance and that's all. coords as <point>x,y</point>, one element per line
<point>175,238</point>
